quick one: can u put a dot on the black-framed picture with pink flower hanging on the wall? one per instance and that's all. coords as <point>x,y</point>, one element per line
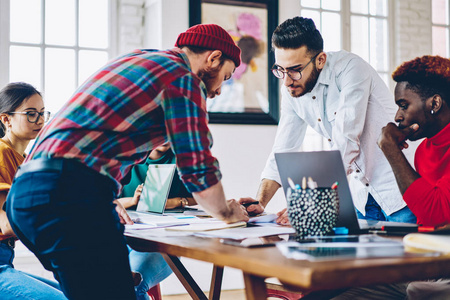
<point>251,95</point>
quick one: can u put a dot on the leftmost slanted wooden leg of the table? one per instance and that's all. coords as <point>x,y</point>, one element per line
<point>185,278</point>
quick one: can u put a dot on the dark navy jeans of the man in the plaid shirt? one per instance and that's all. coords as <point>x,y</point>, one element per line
<point>67,218</point>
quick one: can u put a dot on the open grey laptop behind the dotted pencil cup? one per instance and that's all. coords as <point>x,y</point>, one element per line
<point>326,167</point>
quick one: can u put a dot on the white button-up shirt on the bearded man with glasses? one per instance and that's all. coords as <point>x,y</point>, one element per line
<point>348,106</point>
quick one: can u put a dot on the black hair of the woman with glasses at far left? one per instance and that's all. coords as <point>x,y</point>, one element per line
<point>12,96</point>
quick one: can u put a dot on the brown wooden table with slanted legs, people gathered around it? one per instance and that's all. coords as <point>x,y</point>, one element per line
<point>257,264</point>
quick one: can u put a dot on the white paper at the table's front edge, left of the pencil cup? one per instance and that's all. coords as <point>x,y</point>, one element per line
<point>247,232</point>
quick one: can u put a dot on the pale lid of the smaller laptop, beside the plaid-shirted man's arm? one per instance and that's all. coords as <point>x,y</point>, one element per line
<point>156,188</point>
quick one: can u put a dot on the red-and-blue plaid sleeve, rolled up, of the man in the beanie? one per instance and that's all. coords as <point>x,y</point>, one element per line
<point>186,122</point>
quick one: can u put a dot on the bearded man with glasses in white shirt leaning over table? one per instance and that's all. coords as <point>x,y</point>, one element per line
<point>344,99</point>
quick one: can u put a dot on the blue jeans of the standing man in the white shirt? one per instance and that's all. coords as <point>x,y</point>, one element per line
<point>374,212</point>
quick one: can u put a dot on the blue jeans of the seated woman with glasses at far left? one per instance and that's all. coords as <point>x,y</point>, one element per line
<point>15,284</point>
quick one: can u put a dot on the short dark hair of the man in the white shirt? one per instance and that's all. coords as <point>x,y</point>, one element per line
<point>297,32</point>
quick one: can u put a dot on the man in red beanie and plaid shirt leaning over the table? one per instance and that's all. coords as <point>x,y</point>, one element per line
<point>82,158</point>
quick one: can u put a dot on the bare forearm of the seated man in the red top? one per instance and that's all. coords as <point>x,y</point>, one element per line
<point>404,173</point>
